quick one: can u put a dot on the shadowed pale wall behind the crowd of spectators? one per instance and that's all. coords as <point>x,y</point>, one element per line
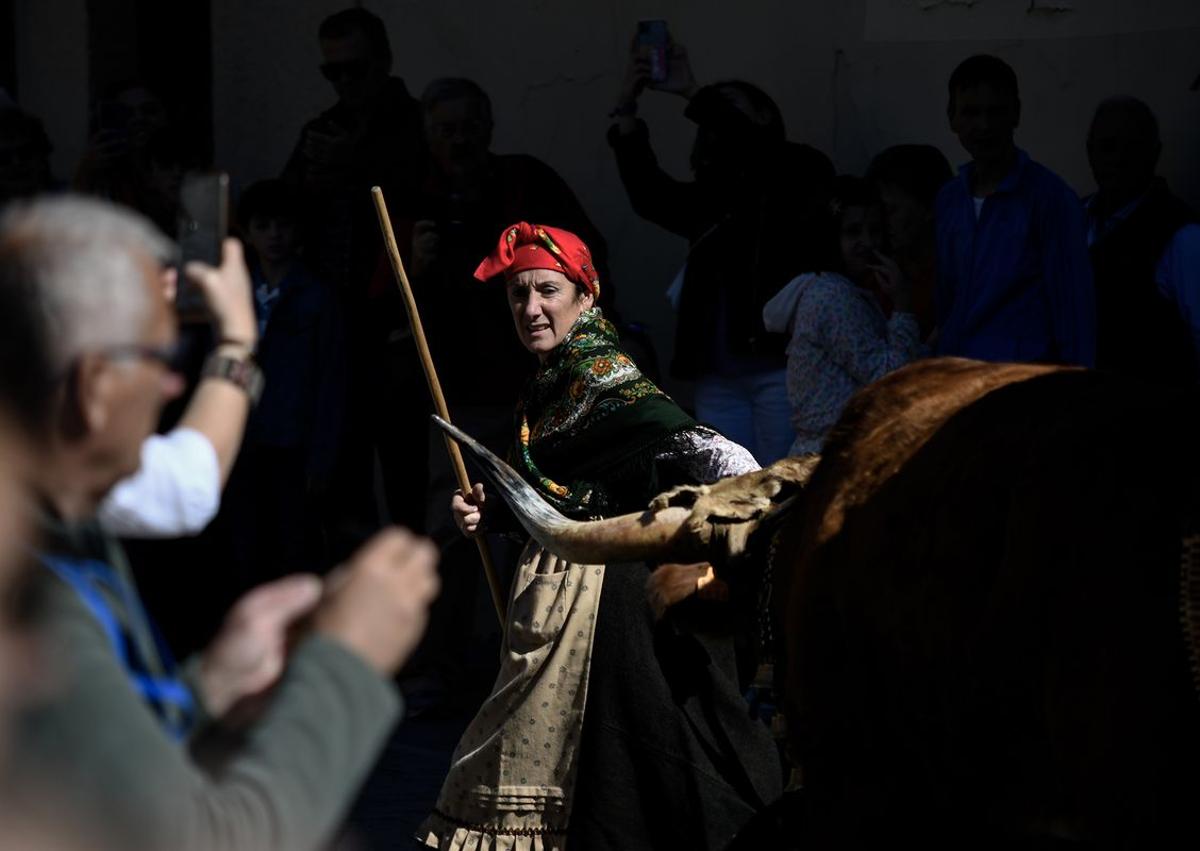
<point>851,76</point>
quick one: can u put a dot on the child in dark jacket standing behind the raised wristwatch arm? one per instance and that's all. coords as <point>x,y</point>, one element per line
<point>293,434</point>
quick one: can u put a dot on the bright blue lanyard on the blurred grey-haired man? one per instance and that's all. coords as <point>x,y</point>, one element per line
<point>86,577</point>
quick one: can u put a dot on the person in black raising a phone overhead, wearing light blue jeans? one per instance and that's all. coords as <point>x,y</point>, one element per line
<point>751,218</point>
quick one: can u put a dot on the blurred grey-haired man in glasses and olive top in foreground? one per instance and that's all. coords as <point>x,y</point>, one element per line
<point>302,668</point>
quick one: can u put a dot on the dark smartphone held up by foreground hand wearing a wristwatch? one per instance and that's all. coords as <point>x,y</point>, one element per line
<point>203,225</point>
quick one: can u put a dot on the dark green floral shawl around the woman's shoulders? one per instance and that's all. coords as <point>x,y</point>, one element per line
<point>589,425</point>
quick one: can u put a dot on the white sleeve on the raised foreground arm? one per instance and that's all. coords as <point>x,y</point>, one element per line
<point>177,492</point>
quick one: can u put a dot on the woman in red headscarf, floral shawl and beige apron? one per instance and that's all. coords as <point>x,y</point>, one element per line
<point>607,726</point>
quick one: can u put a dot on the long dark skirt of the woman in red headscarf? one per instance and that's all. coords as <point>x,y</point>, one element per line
<point>670,757</point>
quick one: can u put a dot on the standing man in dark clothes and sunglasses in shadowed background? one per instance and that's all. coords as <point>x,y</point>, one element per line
<point>373,136</point>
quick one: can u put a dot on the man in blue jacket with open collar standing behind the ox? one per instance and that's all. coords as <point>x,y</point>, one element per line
<point>1015,281</point>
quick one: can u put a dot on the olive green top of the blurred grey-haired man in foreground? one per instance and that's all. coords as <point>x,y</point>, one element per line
<point>285,784</point>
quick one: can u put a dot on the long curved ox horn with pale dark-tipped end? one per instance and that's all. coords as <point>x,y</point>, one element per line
<point>628,538</point>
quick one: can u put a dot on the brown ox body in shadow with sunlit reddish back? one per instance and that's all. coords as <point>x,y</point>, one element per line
<point>985,620</point>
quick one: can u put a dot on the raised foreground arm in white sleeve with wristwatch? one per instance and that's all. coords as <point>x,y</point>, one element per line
<point>177,492</point>
